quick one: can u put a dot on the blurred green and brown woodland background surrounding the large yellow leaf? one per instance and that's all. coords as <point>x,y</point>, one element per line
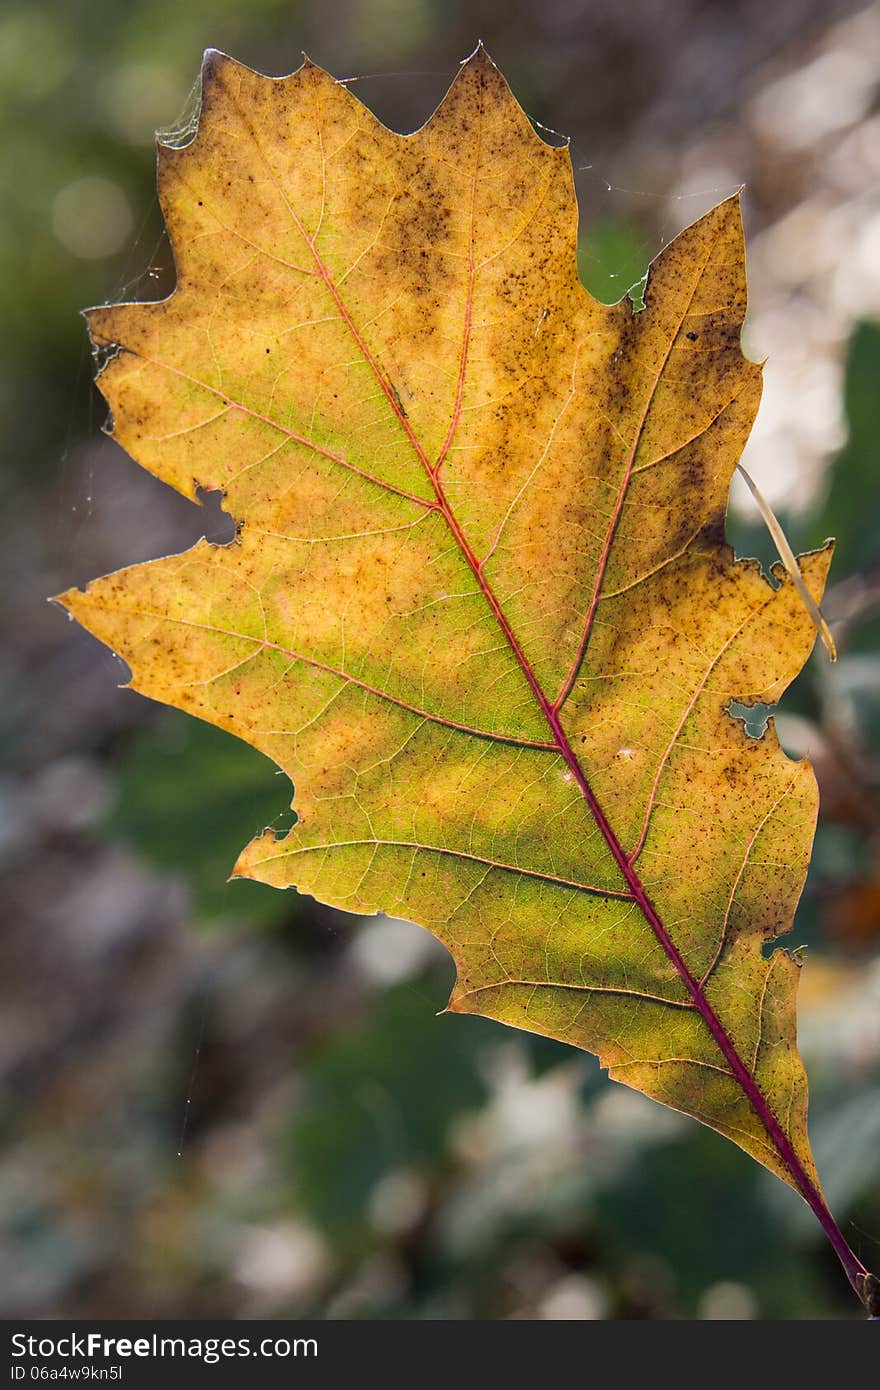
<point>226,1102</point>
